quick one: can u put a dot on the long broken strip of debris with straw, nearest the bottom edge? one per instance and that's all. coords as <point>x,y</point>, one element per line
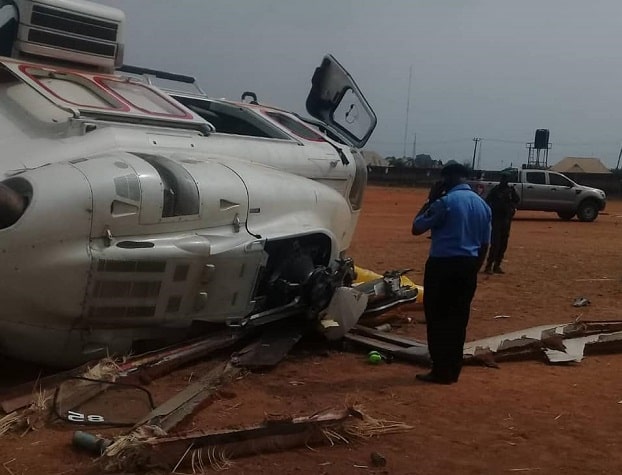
<point>218,448</point>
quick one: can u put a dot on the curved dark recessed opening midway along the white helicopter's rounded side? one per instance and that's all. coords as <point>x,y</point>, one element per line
<point>181,195</point>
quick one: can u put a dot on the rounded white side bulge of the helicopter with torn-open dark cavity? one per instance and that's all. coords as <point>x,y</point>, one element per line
<point>127,248</point>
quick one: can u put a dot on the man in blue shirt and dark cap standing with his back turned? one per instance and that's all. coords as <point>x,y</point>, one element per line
<point>460,222</point>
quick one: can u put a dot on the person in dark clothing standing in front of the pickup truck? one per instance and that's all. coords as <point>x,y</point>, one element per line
<point>502,200</point>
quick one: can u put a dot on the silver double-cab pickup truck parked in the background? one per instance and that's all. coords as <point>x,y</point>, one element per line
<point>542,190</point>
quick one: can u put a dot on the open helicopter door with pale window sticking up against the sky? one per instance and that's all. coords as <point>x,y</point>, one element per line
<point>336,100</point>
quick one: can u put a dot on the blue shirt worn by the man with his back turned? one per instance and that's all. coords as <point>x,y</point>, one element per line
<point>460,223</point>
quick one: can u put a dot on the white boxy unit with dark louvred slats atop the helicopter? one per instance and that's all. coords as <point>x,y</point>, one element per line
<point>70,30</point>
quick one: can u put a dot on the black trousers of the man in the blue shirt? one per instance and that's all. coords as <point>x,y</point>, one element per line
<point>449,284</point>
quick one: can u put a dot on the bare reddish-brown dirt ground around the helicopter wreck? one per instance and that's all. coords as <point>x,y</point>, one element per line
<point>526,417</point>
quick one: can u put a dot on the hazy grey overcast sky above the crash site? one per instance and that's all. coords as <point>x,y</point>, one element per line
<point>481,68</point>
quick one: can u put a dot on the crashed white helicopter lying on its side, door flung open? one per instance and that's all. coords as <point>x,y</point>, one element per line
<point>129,213</point>
